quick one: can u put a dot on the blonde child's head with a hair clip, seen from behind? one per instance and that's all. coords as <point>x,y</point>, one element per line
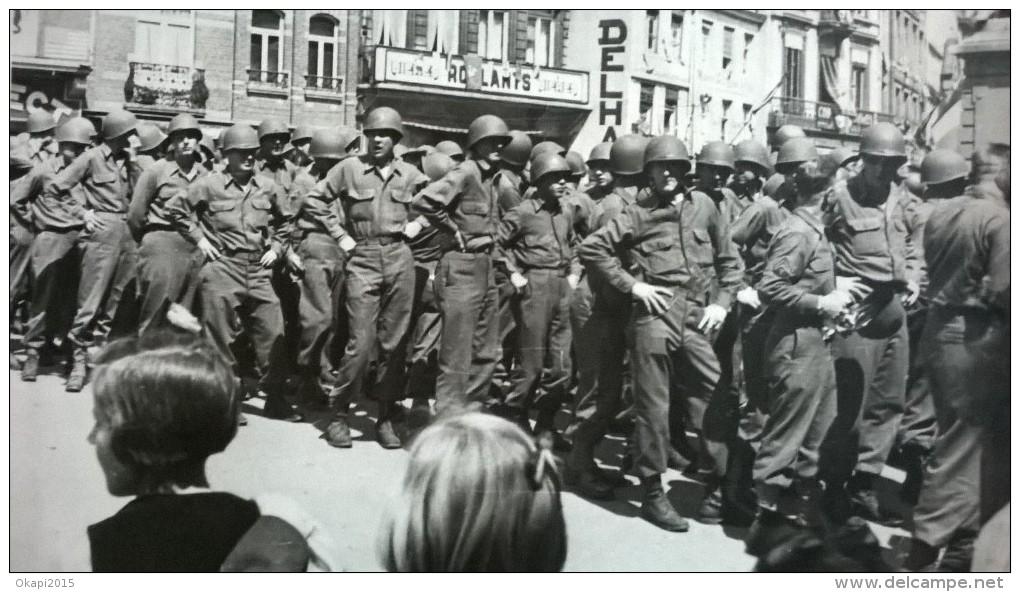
<point>479,497</point>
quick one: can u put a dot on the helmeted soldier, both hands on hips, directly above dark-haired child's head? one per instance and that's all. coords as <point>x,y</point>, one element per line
<point>240,222</point>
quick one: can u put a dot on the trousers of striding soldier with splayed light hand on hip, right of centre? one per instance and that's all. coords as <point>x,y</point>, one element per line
<point>674,364</point>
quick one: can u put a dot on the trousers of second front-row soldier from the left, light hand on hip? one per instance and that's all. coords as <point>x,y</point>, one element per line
<point>110,265</point>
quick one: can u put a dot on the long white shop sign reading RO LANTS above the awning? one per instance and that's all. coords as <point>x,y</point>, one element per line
<point>425,69</point>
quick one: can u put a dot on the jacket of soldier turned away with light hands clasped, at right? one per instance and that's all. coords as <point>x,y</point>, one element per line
<point>800,269</point>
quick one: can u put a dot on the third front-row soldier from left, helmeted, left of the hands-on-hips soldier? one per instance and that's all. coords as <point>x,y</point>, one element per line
<point>169,264</point>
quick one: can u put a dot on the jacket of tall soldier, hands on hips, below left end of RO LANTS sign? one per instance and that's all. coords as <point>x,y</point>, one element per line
<point>371,206</point>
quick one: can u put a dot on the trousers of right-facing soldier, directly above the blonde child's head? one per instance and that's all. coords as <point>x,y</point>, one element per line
<point>466,291</point>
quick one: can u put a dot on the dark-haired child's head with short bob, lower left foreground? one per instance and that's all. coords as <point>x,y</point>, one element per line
<point>162,409</point>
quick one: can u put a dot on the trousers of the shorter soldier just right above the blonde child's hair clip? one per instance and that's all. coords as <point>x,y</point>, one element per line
<point>543,318</point>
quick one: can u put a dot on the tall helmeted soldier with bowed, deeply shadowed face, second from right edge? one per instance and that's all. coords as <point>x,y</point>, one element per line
<point>870,236</point>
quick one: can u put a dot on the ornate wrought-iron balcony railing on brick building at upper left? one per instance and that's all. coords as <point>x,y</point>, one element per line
<point>167,87</point>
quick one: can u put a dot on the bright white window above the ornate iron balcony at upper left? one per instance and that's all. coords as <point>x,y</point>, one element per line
<point>166,38</point>
